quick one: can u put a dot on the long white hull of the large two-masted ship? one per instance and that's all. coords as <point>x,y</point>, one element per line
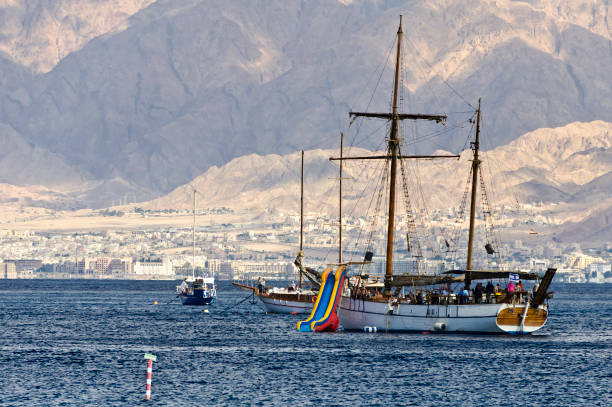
<point>361,315</point>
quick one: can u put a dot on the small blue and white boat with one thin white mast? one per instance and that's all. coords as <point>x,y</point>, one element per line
<point>196,290</point>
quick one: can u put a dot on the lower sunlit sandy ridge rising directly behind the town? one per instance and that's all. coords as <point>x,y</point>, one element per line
<point>565,171</point>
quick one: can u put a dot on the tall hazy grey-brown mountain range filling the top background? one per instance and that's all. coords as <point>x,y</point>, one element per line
<point>145,96</point>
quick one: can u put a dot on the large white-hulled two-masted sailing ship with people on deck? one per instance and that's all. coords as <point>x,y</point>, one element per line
<point>371,306</point>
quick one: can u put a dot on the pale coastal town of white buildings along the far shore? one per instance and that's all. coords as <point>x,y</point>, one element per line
<point>247,250</point>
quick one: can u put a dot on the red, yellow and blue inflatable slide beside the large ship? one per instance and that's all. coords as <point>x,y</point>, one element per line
<point>323,316</point>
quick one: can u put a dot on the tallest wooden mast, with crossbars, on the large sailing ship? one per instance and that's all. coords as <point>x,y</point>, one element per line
<point>393,147</point>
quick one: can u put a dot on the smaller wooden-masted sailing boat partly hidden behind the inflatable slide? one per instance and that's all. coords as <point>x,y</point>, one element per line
<point>293,299</point>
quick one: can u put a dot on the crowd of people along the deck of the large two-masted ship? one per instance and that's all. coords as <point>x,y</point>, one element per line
<point>489,294</point>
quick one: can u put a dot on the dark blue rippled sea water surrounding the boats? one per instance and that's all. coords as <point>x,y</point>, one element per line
<point>75,343</point>
